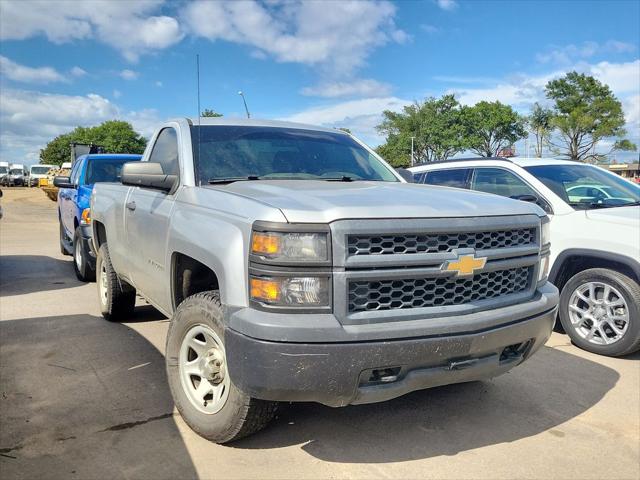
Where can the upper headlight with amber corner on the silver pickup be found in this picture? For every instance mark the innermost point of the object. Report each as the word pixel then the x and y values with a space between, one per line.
pixel 288 246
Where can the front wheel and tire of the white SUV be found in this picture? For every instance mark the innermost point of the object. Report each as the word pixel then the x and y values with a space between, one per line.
pixel 621 305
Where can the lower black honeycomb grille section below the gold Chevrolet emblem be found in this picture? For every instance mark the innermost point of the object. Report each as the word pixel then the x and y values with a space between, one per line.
pixel 379 295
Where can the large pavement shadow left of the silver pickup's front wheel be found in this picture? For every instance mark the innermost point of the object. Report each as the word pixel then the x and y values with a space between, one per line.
pixel 86 398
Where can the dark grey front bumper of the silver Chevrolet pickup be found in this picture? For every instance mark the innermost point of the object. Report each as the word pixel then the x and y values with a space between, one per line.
pixel 343 373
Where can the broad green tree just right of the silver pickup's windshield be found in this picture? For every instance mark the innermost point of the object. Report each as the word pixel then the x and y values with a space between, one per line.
pixel 435 125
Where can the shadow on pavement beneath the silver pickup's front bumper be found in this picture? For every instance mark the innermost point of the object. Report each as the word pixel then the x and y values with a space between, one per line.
pixel 539 396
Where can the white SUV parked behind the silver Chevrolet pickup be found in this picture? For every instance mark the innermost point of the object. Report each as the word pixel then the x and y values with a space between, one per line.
pixel 595 238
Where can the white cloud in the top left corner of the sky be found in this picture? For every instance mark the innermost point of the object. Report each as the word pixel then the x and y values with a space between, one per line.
pixel 129 27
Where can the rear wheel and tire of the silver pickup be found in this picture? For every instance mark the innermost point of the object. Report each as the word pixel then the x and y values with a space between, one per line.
pixel 117 298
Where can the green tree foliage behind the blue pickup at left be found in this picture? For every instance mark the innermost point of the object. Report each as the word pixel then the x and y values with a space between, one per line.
pixel 114 135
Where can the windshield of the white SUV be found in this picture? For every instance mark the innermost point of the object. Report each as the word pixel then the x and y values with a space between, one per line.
pixel 586 187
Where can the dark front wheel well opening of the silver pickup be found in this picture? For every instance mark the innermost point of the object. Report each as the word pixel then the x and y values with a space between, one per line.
pixel 190 277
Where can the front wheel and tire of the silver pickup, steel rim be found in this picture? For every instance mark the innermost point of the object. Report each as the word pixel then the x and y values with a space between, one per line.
pixel 235 414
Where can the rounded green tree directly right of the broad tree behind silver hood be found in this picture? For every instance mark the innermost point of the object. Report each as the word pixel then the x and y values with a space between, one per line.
pixel 491 127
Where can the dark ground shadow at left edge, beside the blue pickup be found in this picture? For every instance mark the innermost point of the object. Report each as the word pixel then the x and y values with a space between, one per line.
pixel 22 274
